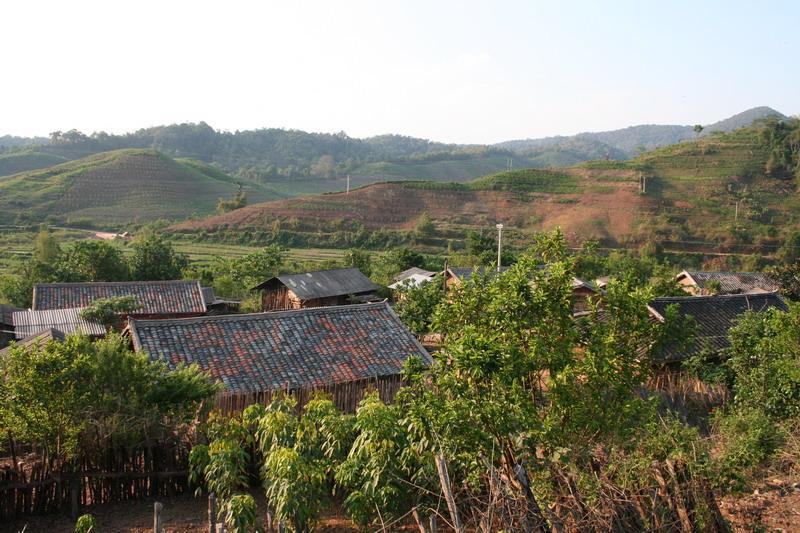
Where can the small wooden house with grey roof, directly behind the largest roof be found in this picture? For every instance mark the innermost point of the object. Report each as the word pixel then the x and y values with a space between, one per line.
pixel 322 288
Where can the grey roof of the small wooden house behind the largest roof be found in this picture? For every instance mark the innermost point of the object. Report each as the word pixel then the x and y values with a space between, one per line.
pixel 325 283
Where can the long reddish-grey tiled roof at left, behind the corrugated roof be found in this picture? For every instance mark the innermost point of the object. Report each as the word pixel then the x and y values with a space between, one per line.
pixel 156 297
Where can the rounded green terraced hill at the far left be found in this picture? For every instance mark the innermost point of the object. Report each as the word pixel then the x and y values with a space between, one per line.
pixel 119 187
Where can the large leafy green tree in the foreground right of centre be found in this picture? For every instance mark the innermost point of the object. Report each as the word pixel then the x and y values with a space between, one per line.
pixel 508 342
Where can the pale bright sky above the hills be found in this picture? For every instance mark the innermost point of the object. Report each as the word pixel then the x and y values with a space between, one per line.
pixel 451 71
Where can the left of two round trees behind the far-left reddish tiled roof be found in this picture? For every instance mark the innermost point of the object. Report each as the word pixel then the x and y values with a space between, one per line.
pixel 91 260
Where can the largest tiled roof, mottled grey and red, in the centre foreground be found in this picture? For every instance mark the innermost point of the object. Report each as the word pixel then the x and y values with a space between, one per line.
pixel 301 348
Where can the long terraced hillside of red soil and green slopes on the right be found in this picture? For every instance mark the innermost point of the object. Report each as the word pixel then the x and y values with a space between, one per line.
pixel 692 192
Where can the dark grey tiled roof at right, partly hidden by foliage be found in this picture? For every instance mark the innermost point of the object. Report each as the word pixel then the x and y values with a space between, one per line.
pixel 713 317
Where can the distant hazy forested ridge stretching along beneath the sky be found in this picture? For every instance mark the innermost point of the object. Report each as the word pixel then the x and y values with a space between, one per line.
pixel 268 155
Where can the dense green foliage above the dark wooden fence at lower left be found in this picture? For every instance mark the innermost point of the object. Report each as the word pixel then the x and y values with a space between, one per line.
pixel 74 396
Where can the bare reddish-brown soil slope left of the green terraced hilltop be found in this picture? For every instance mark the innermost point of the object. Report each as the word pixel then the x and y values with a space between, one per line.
pixel 590 203
